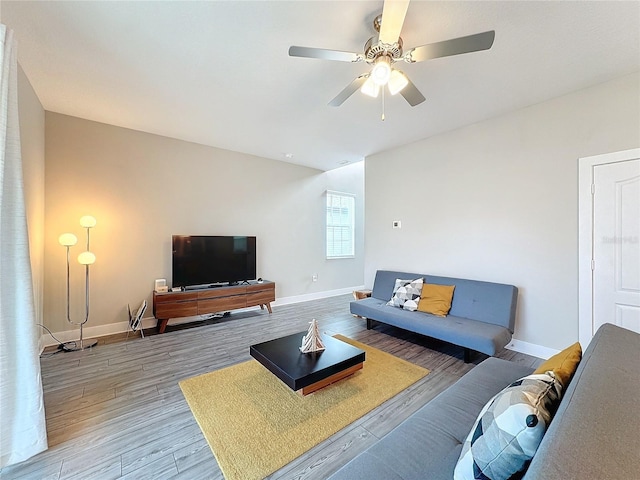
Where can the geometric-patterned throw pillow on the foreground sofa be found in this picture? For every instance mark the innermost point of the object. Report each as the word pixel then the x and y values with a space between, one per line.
pixel 509 429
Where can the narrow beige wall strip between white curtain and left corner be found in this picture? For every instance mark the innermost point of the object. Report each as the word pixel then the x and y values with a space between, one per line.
pixel 33 163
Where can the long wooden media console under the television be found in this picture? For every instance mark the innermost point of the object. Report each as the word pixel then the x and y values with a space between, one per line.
pixel 205 301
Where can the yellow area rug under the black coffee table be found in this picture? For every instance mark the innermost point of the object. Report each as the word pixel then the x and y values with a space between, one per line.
pixel 255 424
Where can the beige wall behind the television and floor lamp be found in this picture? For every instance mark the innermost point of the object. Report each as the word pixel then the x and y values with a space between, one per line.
pixel 143 188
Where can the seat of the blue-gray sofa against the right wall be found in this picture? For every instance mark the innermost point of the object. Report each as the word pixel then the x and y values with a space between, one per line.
pixel 479 336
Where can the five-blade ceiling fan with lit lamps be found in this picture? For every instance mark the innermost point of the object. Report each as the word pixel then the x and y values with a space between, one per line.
pixel 385 49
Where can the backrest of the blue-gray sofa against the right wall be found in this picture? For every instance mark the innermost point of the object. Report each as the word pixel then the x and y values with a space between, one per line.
pixel 493 303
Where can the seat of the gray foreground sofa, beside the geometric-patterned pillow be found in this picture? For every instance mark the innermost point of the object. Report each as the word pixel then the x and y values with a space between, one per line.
pixel 428 444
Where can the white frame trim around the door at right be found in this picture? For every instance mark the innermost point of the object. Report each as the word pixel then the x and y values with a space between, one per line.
pixel 586 167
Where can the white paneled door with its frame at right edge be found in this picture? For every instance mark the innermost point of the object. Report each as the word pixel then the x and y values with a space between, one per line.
pixel 614 244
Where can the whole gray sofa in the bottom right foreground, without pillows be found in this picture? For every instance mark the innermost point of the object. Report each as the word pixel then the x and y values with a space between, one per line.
pixel 594 433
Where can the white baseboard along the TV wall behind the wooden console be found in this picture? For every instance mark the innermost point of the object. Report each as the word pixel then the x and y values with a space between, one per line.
pixel 150 322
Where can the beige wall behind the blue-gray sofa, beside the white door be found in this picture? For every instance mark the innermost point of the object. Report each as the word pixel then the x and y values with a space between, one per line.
pixel 498 201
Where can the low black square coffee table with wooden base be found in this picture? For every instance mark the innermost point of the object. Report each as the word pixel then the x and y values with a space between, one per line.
pixel 308 372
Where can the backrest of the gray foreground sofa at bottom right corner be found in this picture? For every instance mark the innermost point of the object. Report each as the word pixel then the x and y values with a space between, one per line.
pixel 596 431
